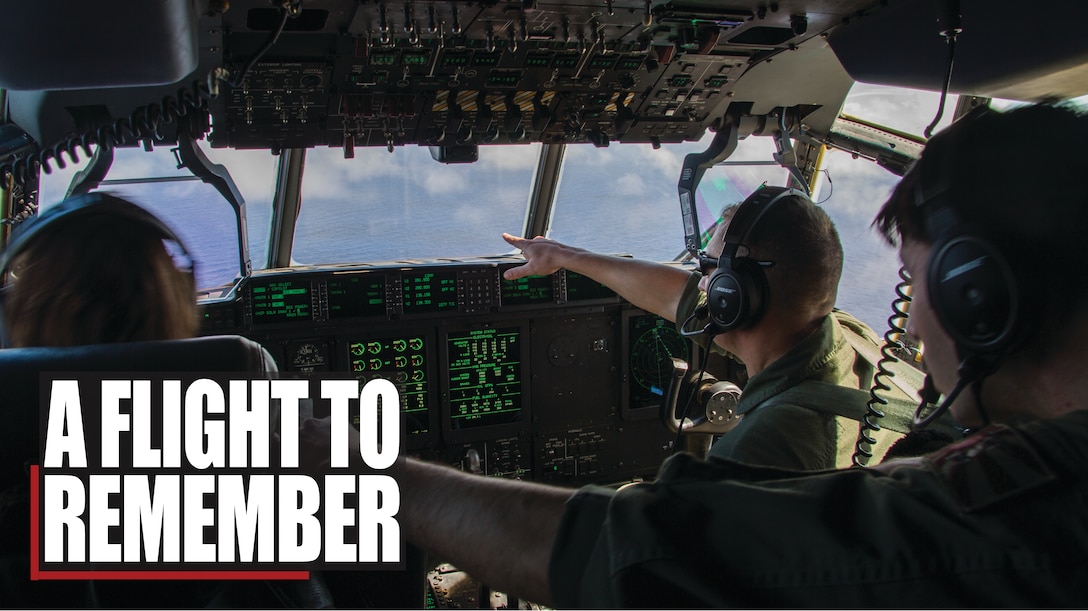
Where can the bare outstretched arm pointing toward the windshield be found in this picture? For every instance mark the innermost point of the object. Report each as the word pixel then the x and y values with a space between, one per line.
pixel 652 286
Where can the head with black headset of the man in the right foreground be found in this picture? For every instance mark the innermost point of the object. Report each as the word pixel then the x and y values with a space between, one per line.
pixel 992 226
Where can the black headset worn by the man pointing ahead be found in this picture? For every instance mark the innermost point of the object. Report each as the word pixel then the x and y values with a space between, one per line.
pixel 737 291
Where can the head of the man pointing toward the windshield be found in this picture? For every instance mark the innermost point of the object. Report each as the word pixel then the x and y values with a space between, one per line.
pixel 794 245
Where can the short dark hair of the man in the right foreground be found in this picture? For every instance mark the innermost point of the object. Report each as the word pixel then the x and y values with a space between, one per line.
pixel 1015 180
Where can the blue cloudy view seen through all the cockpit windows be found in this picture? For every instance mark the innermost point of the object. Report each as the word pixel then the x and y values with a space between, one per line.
pixel 381 207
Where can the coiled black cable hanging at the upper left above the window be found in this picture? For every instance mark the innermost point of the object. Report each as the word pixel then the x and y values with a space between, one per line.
pixel 145 123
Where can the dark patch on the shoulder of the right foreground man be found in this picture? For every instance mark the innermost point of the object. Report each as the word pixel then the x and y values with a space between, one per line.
pixel 990 468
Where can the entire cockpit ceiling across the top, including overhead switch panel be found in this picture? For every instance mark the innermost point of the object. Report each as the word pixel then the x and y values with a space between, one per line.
pixel 349 73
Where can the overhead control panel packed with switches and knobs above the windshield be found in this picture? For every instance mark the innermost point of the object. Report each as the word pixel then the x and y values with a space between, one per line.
pixel 456 73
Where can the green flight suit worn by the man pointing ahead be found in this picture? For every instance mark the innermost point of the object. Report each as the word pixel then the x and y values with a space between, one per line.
pixel 784 434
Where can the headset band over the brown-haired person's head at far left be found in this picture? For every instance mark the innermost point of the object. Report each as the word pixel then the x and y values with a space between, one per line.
pixel 75 209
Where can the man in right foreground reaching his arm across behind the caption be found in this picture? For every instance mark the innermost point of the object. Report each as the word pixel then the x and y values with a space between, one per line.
pixel 995 520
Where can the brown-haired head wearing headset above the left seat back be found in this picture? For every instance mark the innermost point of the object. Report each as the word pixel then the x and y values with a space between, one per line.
pixel 95 270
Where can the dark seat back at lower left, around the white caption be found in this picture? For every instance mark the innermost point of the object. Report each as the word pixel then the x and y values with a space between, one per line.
pixel 20 383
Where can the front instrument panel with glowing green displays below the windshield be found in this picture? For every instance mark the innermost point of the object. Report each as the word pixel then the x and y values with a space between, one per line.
pixel 552 379
